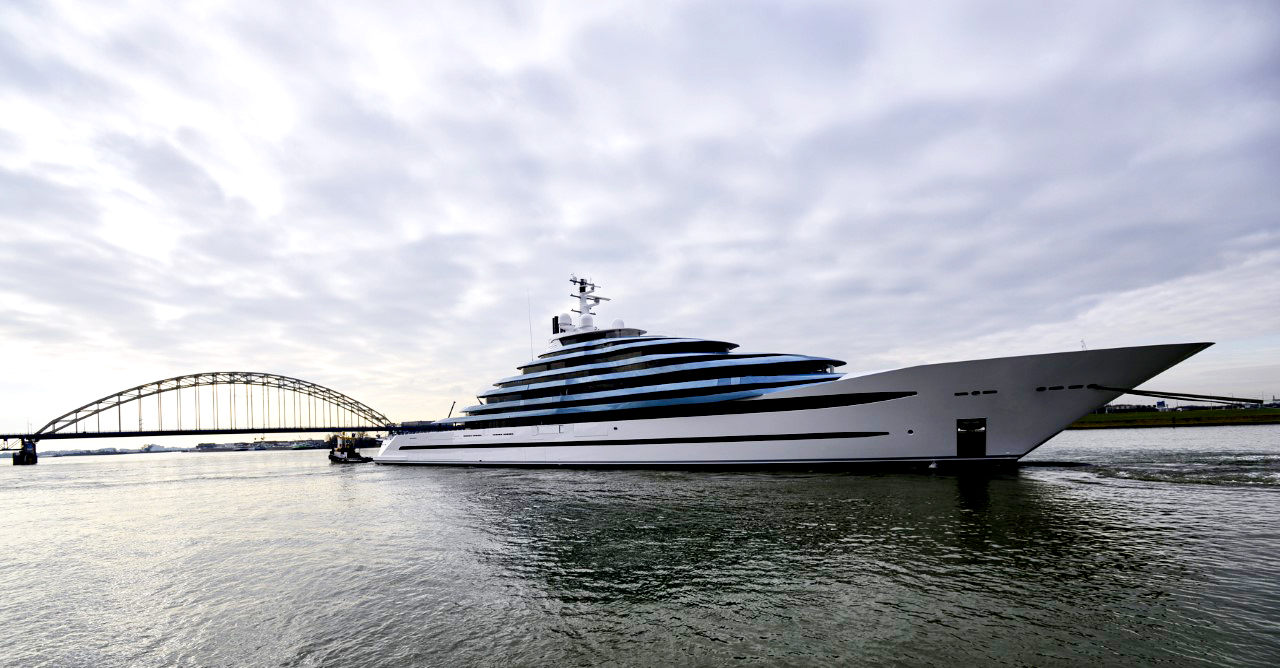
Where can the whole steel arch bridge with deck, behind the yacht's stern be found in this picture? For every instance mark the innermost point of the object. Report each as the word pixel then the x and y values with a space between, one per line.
pixel 216 402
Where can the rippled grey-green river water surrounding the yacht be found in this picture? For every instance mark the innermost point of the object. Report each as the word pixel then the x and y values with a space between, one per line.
pixel 1167 553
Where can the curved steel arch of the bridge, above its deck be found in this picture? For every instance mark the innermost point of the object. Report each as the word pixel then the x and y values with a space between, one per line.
pixel 213 379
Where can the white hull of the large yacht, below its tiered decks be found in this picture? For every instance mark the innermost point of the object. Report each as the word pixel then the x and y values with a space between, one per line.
pixel 921 427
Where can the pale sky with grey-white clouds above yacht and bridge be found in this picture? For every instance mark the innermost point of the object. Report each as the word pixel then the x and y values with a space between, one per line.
pixel 387 198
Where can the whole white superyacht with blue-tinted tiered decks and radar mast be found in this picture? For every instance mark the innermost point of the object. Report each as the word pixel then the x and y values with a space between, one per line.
pixel 618 397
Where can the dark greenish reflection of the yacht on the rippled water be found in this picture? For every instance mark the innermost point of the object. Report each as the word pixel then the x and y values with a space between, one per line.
pixel 884 568
